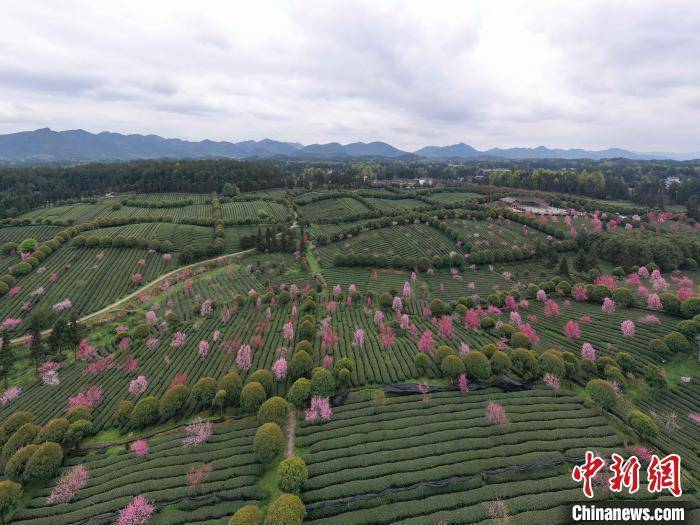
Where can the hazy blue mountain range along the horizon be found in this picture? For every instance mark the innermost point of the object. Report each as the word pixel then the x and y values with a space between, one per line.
pixel 46 145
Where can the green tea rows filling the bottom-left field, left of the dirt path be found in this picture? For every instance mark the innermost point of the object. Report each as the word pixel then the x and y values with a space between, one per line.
pixel 117 475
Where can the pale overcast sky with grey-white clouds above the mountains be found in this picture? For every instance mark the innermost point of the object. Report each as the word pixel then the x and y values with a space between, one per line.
pixel 568 73
